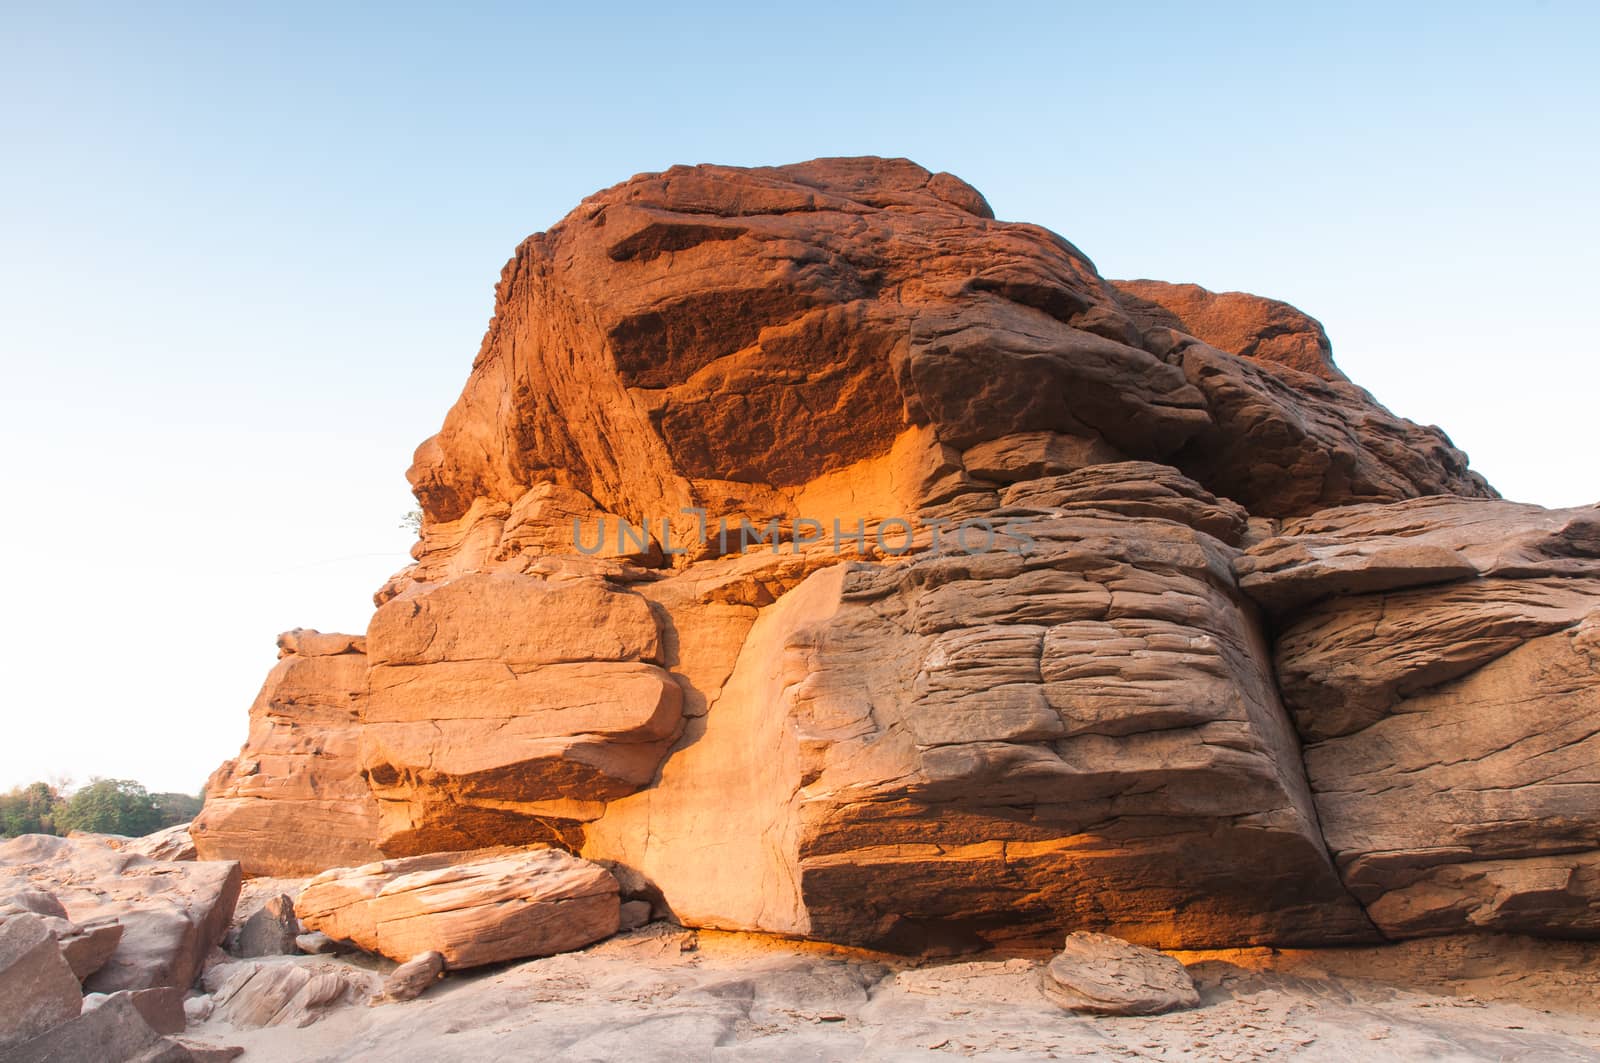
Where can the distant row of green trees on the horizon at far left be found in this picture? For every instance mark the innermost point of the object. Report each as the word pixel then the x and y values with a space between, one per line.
pixel 105 806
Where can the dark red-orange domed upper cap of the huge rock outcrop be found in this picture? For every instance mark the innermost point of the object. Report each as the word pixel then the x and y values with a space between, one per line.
pixel 727 339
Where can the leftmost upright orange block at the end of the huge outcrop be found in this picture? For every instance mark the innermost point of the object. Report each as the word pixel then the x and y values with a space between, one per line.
pixel 294 803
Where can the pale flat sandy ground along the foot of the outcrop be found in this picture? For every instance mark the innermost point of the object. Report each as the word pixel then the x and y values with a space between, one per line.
pixel 670 995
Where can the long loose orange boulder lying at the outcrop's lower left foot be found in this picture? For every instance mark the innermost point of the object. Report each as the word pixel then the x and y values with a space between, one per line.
pixel 474 909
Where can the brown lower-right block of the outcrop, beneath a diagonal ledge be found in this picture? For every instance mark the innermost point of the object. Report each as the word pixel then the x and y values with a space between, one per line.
pixel 1478 803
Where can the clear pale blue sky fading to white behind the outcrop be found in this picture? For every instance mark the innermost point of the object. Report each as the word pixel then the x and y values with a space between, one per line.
pixel 247 255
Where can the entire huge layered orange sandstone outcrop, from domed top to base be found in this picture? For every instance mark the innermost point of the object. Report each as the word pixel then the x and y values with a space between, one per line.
pixel 1081 606
